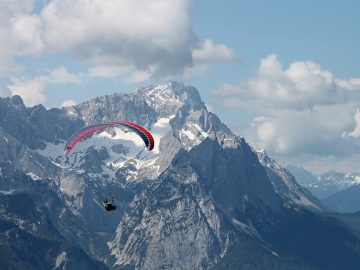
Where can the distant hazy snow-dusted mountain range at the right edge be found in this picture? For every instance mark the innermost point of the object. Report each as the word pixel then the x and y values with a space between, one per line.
pixel 326 184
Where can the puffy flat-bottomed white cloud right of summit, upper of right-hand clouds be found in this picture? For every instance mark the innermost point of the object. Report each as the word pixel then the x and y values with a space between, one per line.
pixel 303 85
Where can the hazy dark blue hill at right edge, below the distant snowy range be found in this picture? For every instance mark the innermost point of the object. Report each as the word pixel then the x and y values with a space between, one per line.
pixel 345 201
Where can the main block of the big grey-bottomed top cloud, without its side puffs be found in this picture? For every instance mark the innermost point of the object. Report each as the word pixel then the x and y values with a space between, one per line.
pixel 141 34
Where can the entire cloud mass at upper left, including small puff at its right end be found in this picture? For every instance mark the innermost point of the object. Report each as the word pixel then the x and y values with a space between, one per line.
pixel 148 38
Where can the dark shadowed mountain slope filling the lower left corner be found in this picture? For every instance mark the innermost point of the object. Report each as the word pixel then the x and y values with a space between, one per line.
pixel 28 238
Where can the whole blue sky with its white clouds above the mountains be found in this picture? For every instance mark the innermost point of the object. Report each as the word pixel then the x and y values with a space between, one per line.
pixel 283 74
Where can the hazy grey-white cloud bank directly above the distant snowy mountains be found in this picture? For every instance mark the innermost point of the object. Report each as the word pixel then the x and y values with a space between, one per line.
pixel 312 139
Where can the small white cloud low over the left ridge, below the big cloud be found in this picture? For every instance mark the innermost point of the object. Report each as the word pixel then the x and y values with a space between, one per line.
pixel 32 90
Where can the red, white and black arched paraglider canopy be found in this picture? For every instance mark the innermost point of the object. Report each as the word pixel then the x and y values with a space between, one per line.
pixel 89 130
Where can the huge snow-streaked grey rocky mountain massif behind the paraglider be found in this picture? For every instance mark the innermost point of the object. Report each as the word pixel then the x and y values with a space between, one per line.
pixel 200 195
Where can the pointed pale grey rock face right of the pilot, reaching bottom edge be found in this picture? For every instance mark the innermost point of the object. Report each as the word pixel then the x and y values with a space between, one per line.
pixel 174 209
